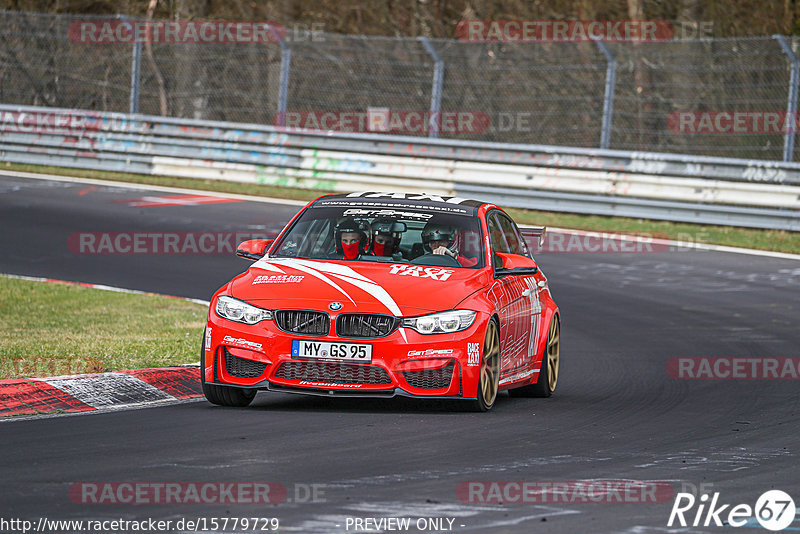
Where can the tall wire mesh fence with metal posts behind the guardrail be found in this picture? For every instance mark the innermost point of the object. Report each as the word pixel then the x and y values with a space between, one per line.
pixel 580 94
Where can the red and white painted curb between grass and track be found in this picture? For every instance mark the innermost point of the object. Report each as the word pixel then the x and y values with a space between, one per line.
pixel 101 391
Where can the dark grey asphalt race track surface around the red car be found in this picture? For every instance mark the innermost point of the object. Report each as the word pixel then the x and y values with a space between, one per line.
pixel 616 415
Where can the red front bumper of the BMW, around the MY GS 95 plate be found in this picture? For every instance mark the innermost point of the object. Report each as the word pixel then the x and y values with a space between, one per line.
pixel 404 363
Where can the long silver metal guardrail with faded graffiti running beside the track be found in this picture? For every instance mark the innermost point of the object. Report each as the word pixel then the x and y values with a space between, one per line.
pixel 704 190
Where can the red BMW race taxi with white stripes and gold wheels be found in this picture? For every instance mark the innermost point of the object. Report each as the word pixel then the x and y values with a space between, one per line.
pixel 383 294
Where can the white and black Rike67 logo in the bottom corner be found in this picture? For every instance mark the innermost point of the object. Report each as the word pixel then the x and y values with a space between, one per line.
pixel 774 510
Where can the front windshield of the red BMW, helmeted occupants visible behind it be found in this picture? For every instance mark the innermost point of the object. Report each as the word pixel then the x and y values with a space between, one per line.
pixel 406 235
